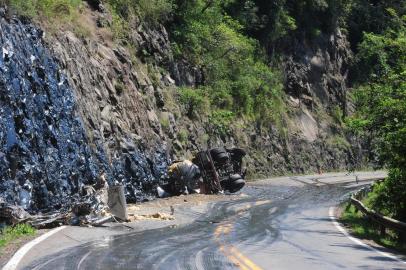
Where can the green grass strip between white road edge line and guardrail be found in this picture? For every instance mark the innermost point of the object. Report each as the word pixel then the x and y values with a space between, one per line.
pixel 362 228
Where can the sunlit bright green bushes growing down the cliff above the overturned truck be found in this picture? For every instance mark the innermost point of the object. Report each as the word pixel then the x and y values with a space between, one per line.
pixel 237 79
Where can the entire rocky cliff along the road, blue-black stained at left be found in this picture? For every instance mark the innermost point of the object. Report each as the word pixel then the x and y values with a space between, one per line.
pixel 77 109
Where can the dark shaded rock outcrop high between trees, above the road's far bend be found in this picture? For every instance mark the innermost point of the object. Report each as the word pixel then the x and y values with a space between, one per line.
pixel 316 73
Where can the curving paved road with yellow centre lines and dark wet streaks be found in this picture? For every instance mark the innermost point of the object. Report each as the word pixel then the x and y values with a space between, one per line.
pixel 281 223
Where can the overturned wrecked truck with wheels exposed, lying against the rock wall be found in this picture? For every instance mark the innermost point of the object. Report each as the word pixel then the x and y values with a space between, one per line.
pixel 209 172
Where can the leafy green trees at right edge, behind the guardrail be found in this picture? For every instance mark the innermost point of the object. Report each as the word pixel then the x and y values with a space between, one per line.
pixel 381 103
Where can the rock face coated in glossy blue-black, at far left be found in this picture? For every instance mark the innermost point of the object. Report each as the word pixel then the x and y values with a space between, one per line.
pixel 44 154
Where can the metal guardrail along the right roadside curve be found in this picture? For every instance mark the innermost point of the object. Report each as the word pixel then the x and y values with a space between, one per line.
pixel 383 221
